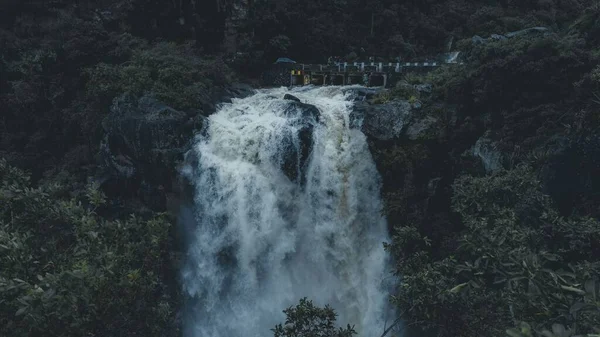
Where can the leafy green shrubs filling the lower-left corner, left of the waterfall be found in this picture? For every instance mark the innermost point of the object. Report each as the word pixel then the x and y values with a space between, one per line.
pixel 68 271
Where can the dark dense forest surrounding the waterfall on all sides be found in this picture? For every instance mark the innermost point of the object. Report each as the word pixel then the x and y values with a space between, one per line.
pixel 493 209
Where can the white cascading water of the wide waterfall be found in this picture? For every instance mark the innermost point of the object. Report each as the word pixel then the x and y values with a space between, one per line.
pixel 276 222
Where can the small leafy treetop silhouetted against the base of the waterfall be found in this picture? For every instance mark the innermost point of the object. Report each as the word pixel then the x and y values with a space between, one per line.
pixel 305 319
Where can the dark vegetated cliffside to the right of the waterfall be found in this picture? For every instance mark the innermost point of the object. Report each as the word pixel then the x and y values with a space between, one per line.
pixel 483 248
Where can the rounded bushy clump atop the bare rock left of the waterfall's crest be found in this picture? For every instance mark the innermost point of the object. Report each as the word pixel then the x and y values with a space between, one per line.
pixel 173 73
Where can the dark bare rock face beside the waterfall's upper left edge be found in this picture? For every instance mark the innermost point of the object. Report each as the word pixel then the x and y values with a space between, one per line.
pixel 144 142
